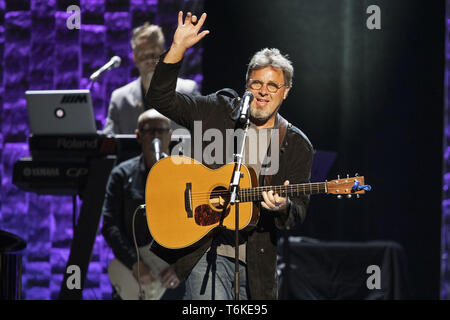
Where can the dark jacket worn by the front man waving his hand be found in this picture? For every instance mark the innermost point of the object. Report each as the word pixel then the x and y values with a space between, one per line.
pixel 295 160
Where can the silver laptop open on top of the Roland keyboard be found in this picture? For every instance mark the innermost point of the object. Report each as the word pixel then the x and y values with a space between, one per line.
pixel 60 112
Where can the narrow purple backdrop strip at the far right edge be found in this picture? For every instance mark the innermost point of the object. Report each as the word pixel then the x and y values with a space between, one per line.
pixel 445 242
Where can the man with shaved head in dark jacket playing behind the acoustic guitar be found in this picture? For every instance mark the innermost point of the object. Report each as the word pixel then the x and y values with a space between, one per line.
pixel 125 191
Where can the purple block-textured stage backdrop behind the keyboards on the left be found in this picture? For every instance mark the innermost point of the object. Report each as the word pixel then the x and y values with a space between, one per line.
pixel 38 51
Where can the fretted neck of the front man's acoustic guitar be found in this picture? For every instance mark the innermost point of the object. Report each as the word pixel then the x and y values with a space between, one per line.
pixel 292 190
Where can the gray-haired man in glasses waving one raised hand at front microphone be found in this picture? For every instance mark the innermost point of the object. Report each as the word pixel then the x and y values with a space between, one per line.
pixel 209 268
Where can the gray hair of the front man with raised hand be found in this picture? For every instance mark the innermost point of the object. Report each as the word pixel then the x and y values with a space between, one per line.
pixel 272 58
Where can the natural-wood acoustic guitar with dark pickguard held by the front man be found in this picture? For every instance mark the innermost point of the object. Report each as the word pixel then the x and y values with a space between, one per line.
pixel 185 200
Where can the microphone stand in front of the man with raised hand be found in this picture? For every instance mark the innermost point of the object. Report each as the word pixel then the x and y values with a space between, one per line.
pixel 234 189
